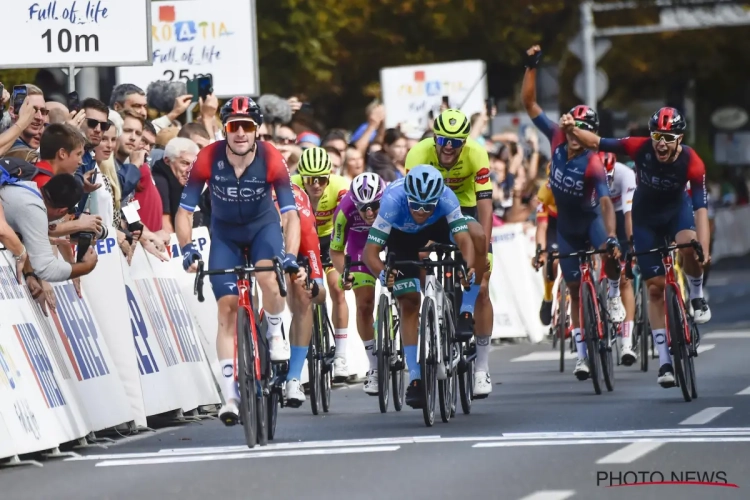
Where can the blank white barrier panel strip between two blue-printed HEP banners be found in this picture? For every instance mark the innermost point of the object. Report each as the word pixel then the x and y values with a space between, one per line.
pixel 104 289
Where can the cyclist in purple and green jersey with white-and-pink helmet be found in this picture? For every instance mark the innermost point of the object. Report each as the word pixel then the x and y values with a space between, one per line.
pixel 352 220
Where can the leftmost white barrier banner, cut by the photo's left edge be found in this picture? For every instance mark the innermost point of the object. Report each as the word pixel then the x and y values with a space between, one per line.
pixel 29 390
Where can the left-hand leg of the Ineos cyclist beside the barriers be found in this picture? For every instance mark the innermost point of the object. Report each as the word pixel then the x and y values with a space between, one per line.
pixel 224 255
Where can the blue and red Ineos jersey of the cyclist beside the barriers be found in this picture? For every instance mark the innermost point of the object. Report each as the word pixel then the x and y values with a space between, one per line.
pixel 245 199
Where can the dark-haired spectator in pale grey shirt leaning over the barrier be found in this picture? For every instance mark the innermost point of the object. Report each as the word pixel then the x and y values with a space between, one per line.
pixel 29 211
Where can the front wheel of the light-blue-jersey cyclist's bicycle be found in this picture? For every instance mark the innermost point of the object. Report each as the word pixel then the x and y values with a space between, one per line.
pixel 428 360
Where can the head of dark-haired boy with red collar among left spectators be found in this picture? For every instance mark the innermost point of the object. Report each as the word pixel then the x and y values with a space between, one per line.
pixel 60 152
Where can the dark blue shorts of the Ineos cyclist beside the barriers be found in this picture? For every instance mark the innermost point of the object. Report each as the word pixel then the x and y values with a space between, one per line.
pixel 263 238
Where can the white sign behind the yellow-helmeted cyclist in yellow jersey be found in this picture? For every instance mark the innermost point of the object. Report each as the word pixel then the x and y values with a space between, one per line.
pixel 411 92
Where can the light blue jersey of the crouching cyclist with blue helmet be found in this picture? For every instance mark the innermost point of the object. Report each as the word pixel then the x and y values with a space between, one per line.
pixel 395 214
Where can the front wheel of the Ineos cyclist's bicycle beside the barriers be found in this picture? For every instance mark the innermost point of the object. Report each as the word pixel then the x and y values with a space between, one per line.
pixel 247 378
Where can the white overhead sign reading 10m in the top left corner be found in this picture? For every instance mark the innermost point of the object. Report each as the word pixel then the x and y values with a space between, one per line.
pixel 63 33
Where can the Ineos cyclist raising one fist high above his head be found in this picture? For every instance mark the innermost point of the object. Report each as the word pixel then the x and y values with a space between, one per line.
pixel 585 213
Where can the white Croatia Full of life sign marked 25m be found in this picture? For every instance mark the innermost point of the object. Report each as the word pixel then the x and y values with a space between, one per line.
pixel 191 38
